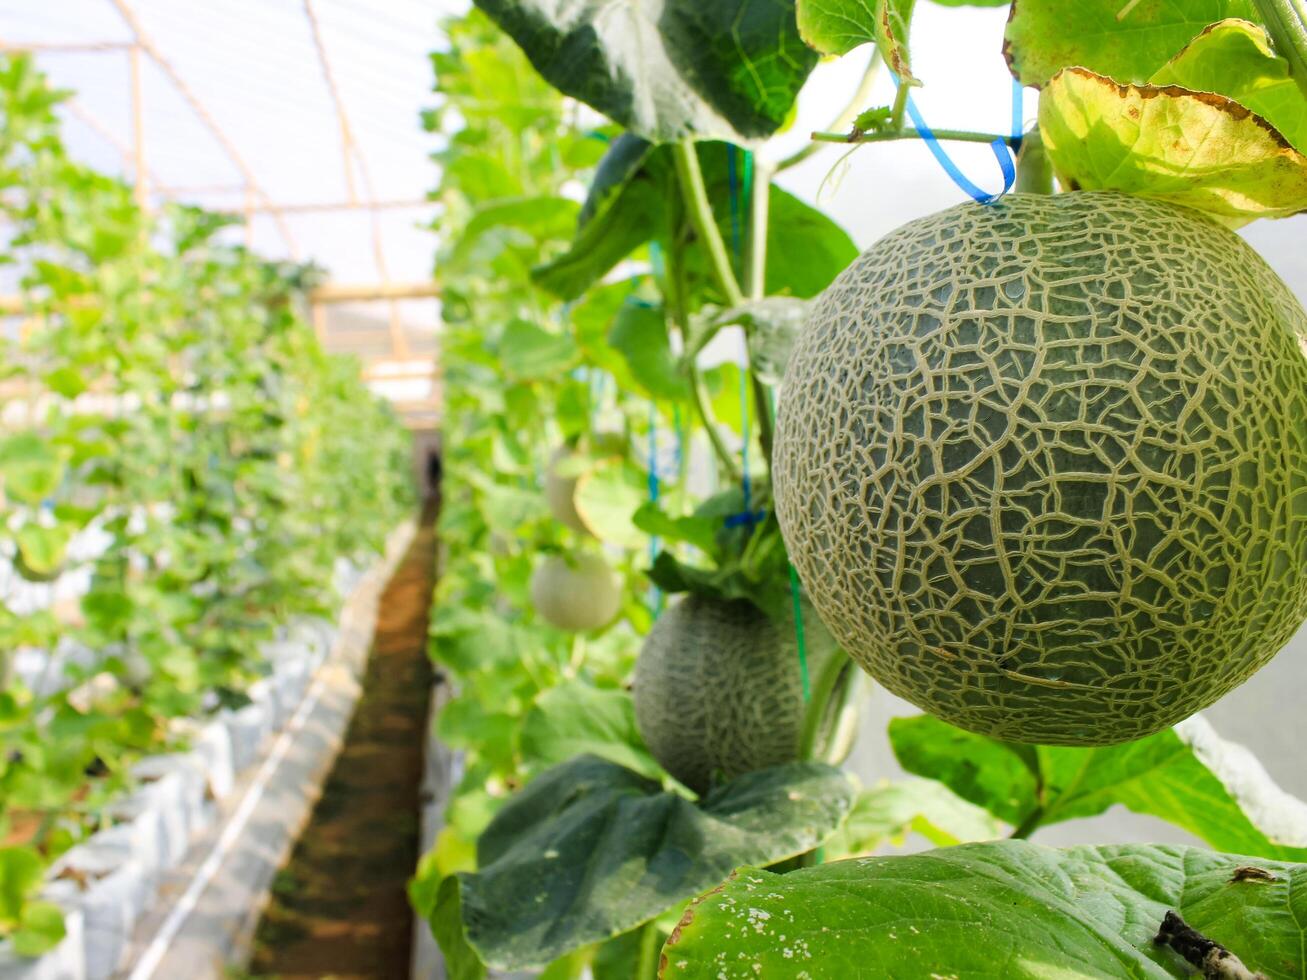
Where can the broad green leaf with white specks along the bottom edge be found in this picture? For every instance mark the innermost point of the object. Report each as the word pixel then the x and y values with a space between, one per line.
pixel 1008 909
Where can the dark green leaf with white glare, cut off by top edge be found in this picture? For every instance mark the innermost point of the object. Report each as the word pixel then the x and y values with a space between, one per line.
pixel 669 70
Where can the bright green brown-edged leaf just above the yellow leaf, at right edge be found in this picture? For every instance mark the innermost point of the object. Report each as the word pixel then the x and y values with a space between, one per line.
pixel 1234 58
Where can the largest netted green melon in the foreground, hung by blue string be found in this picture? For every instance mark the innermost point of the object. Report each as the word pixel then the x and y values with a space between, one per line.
pixel 1042 466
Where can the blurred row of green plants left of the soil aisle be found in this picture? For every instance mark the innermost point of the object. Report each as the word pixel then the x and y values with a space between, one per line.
pixel 163 393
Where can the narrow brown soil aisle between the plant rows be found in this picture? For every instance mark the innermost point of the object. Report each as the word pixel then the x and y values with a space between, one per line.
pixel 339 909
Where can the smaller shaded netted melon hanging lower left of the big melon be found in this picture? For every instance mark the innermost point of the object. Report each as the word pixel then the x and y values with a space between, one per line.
pixel 720 691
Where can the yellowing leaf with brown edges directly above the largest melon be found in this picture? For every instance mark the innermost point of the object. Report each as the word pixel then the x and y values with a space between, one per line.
pixel 1191 148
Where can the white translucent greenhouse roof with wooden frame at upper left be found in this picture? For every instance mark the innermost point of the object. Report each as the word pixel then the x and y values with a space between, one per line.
pixel 300 117
